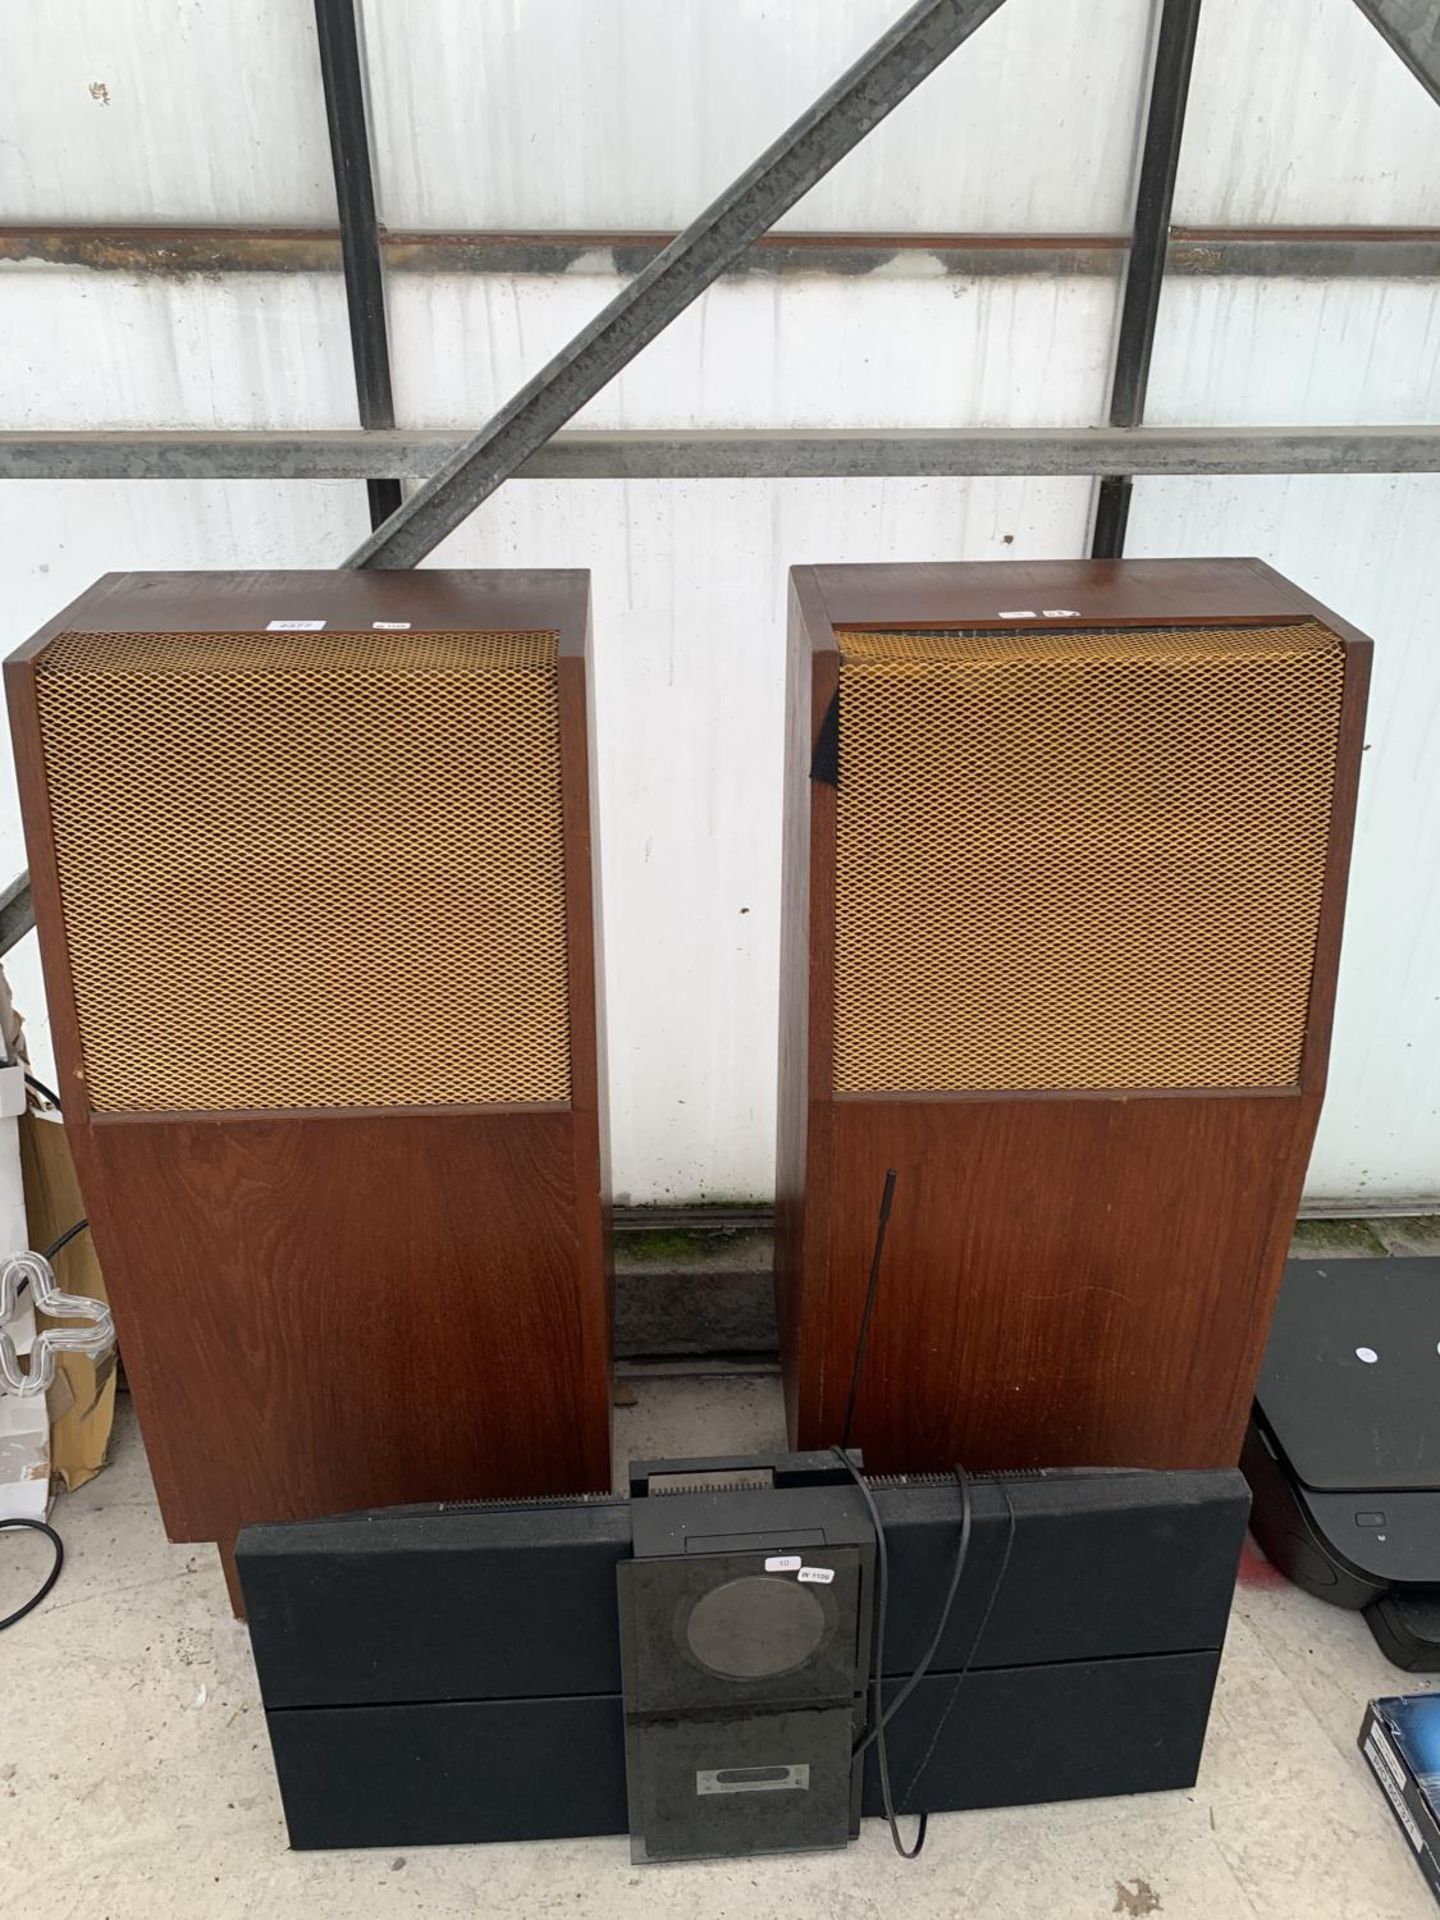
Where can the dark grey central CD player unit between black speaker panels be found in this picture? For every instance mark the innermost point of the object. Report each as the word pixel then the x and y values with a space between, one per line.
pixel 746 1631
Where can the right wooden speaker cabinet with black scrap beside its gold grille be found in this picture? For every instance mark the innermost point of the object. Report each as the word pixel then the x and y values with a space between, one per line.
pixel 1065 875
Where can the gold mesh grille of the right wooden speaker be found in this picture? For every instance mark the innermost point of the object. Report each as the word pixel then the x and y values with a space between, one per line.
pixel 1084 861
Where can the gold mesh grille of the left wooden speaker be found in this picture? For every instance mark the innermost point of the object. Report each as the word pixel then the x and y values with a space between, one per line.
pixel 310 869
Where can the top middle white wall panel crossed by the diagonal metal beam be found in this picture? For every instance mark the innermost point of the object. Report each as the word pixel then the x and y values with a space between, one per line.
pixel 635 114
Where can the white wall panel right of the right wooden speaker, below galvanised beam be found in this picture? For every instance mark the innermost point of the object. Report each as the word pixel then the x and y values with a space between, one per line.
pixel 1364 546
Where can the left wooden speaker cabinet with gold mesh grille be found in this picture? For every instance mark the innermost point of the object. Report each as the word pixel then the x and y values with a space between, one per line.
pixel 314 878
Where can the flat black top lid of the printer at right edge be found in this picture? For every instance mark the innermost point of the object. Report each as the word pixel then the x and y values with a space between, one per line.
pixel 1353 1374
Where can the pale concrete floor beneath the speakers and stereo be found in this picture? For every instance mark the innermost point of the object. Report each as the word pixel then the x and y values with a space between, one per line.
pixel 135 1775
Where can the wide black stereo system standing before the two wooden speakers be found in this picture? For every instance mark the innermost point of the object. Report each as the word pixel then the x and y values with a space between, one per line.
pixel 441 1675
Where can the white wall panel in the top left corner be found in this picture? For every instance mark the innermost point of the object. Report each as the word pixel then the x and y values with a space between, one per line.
pixel 164 112
